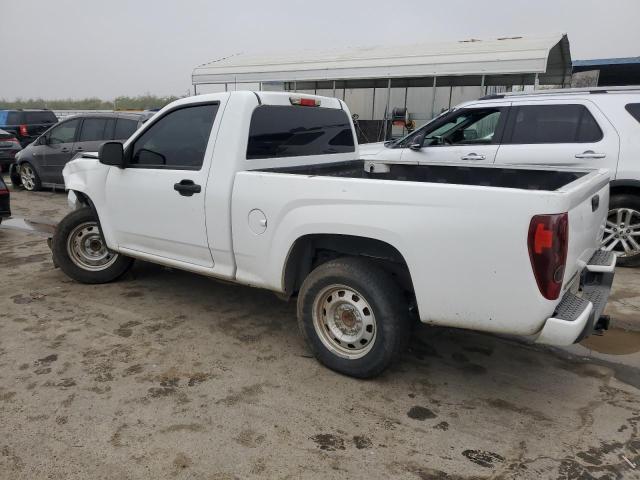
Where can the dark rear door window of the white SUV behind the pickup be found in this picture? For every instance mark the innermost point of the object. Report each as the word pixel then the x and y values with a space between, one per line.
pixel 565 123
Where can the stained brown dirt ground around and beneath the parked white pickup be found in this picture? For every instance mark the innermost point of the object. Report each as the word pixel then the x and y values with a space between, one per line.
pixel 166 374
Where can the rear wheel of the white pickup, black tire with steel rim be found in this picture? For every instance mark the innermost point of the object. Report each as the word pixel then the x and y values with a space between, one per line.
pixel 353 316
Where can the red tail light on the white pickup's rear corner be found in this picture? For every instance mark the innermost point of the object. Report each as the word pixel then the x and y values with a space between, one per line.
pixel 548 241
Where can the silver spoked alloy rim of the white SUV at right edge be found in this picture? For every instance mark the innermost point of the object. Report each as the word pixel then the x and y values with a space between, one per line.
pixel 622 232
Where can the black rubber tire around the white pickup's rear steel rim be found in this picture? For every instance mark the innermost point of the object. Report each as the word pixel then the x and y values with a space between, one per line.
pixel 380 291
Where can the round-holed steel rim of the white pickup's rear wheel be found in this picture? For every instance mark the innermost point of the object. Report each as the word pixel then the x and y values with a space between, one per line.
pixel 344 321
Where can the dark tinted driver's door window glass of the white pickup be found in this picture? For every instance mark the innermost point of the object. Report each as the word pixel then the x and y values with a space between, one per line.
pixel 176 141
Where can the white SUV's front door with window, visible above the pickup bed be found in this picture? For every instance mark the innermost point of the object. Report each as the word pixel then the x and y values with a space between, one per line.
pixel 470 135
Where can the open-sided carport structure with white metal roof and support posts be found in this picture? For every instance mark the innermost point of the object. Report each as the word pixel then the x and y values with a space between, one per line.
pixel 422 78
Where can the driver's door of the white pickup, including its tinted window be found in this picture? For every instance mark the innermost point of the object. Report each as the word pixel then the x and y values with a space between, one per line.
pixel 156 204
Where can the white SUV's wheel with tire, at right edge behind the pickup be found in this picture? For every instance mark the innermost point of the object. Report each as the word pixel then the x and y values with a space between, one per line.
pixel 622 232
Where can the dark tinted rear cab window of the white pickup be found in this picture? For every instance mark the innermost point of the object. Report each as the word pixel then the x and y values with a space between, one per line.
pixel 292 131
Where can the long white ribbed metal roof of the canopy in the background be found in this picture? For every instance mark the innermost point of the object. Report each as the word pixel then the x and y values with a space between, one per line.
pixel 546 55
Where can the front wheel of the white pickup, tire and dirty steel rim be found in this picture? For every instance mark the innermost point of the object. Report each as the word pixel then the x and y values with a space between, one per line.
pixel 83 222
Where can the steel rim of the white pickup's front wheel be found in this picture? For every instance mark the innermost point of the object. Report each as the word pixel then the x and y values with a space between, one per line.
pixel 87 250
